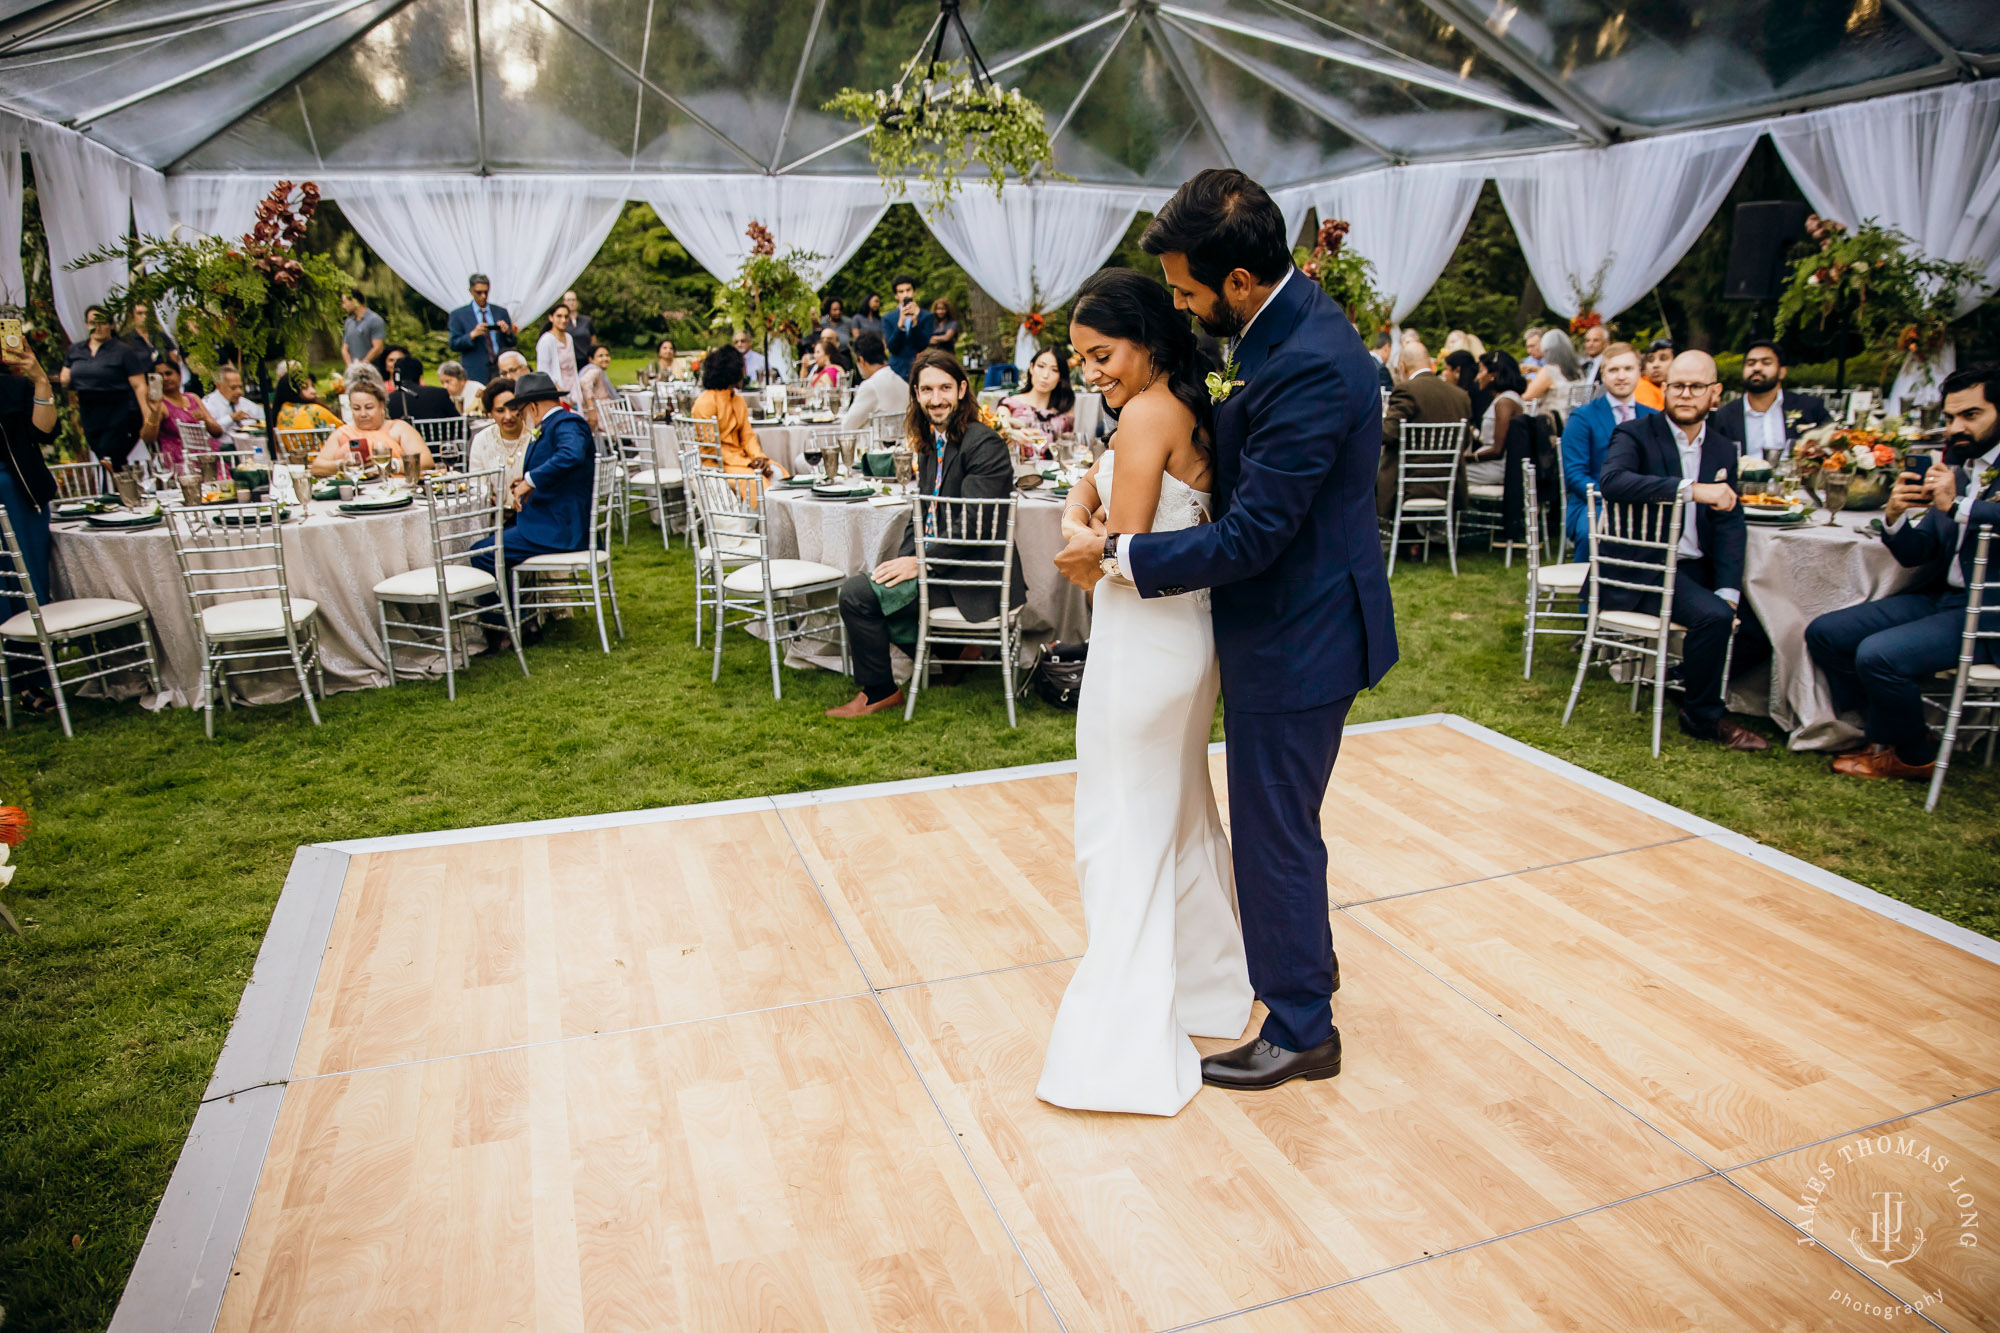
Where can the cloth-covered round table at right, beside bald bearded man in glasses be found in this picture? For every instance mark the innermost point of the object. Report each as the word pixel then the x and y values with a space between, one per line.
pixel 1793 575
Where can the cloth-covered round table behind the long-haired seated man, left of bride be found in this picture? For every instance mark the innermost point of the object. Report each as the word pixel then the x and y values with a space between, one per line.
pixel 849 537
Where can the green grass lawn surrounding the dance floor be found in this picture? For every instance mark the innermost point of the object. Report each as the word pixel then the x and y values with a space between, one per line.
pixel 157 856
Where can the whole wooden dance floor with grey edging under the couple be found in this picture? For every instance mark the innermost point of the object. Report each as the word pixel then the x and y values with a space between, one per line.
pixel 771 1066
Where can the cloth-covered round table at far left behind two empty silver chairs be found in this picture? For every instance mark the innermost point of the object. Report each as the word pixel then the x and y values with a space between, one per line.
pixel 329 557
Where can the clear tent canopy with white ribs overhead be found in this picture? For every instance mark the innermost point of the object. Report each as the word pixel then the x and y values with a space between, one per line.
pixel 1139 93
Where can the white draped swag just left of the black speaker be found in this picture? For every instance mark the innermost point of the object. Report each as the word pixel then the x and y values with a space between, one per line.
pixel 1619 219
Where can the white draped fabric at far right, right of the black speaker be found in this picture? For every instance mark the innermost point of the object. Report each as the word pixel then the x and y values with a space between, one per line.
pixel 1925 163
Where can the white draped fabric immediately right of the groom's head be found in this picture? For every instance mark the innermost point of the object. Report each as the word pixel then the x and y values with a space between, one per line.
pixel 1405 221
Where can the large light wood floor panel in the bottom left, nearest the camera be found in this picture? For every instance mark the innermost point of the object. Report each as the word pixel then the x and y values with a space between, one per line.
pixel 755 1174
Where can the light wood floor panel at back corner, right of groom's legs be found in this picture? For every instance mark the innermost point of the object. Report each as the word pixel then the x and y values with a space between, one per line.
pixel 1423 808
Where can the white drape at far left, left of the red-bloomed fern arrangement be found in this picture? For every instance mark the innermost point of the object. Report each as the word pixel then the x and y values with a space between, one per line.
pixel 87 197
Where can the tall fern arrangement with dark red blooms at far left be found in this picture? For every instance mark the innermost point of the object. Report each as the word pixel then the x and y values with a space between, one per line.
pixel 247 301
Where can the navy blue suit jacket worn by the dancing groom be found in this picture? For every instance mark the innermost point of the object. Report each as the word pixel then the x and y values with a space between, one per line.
pixel 1301 597
